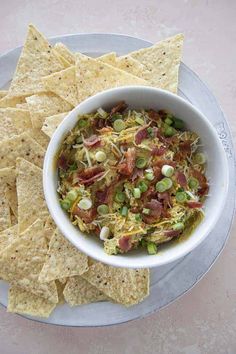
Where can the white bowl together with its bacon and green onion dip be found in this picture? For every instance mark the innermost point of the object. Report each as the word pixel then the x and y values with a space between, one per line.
pixel 128 171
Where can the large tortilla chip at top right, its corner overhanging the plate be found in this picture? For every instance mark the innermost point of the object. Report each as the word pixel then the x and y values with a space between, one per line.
pixel 161 62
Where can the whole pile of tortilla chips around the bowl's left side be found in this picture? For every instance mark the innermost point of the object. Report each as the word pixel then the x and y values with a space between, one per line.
pixel 41 266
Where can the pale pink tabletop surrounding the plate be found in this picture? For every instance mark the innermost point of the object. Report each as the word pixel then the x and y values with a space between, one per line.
pixel 204 320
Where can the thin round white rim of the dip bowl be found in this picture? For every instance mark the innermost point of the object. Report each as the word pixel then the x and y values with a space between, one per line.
pixel 52 149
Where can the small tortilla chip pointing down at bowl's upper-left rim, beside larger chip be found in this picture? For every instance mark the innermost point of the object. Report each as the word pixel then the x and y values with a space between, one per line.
pixel 63 84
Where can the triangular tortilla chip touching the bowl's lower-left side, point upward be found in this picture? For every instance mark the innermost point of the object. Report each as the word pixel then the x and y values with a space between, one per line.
pixel 63 260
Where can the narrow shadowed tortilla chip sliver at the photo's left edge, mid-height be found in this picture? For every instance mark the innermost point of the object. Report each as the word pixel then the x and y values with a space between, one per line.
pixel 8 180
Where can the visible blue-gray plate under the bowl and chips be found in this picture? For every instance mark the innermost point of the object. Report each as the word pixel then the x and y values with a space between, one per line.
pixel 167 282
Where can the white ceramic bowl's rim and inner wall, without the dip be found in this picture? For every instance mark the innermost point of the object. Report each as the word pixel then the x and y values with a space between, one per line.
pixel 217 171
